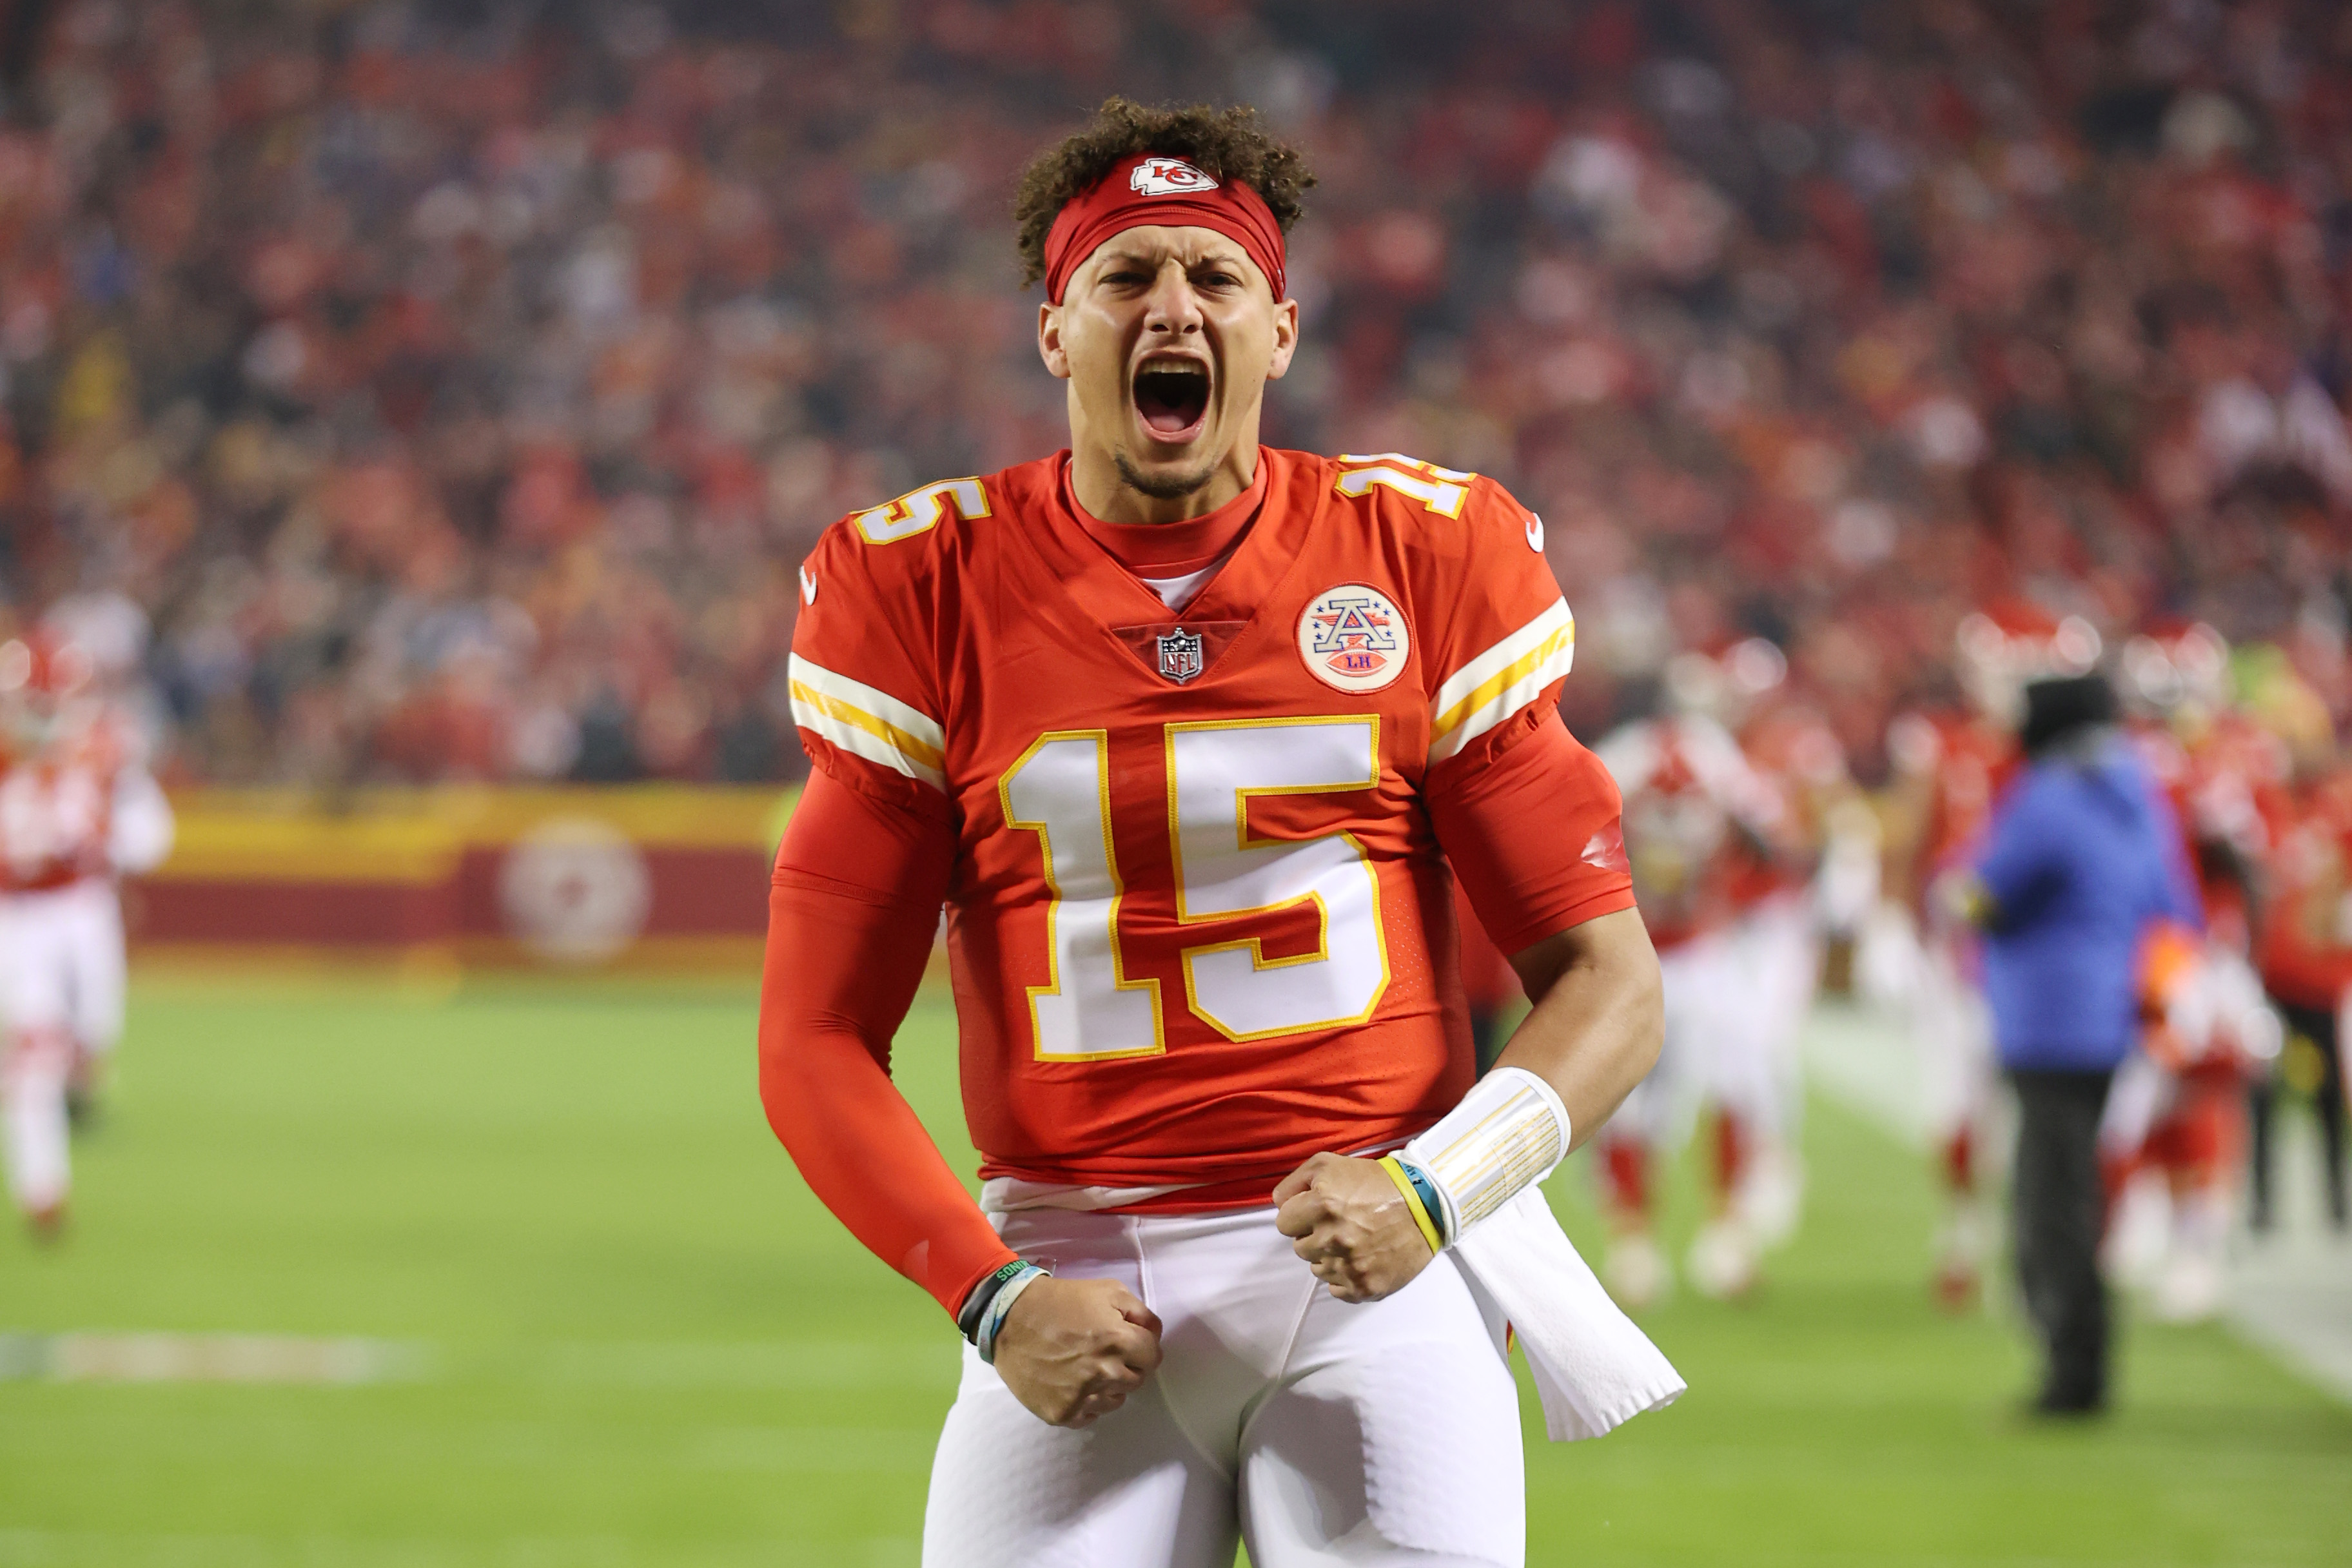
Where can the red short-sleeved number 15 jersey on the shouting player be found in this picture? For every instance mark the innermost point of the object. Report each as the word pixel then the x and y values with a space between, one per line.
pixel 1201 925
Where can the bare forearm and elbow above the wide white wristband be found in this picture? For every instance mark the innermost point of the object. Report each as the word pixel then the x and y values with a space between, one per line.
pixel 1598 1017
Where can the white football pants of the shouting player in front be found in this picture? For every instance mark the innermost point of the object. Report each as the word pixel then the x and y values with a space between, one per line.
pixel 1314 1430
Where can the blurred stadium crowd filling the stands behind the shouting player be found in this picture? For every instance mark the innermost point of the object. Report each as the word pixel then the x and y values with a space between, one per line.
pixel 448 391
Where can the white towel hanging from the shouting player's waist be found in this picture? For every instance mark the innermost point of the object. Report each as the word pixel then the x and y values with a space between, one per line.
pixel 1591 1365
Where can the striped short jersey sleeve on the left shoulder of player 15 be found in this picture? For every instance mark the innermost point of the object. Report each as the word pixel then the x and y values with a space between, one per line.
pixel 864 697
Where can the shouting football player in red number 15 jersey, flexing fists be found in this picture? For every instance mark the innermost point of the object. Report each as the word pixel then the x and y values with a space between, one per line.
pixel 1187 732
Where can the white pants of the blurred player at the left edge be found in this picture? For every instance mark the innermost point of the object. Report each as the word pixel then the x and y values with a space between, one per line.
pixel 60 991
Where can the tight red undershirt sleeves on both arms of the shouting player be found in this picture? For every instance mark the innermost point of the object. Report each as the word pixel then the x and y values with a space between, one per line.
pixel 855 904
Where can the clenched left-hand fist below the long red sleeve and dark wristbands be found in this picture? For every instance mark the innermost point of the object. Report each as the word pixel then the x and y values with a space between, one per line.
pixel 1074 1351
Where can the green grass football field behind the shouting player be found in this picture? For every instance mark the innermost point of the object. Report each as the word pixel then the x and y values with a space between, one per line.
pixel 603 1325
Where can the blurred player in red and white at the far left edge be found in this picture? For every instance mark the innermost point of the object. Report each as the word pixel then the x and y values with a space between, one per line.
pixel 76 810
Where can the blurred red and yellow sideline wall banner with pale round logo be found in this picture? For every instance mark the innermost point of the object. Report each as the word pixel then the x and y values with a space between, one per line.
pixel 486 876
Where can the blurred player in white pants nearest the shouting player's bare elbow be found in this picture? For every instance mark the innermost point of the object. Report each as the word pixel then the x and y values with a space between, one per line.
pixel 1704 836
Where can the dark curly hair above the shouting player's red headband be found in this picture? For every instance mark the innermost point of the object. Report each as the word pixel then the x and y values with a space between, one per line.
pixel 1224 142
